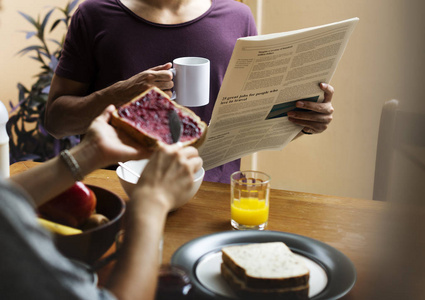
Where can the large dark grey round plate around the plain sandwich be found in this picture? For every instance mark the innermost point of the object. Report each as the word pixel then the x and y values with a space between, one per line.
pixel 340 271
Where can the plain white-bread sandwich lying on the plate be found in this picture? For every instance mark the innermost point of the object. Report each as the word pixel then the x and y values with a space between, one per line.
pixel 269 270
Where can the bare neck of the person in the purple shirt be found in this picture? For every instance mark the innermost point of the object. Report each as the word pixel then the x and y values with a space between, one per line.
pixel 168 11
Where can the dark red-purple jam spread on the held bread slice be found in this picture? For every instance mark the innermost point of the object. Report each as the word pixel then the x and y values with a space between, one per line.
pixel 150 115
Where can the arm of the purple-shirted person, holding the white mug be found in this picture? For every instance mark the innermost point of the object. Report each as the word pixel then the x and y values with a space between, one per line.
pixel 70 110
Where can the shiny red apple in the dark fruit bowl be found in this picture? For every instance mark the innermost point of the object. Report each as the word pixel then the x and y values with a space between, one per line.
pixel 72 207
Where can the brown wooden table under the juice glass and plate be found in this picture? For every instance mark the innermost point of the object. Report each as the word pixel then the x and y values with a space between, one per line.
pixel 346 224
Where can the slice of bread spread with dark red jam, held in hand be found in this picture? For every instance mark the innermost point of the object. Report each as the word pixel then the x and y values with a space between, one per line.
pixel 145 118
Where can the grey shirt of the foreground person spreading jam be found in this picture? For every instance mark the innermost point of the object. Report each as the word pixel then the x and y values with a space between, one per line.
pixel 30 265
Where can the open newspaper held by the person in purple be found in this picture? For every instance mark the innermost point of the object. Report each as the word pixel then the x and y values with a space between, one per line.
pixel 266 75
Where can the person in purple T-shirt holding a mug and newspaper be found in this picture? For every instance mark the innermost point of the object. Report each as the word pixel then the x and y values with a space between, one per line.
pixel 116 49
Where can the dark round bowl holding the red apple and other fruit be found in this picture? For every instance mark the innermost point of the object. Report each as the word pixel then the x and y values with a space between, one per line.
pixel 90 245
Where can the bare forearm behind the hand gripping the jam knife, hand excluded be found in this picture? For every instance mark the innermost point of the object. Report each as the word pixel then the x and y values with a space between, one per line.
pixel 136 272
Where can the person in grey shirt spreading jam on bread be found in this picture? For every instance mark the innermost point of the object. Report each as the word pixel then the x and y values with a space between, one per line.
pixel 30 265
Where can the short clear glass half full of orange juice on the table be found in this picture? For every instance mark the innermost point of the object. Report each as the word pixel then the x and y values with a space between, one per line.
pixel 249 200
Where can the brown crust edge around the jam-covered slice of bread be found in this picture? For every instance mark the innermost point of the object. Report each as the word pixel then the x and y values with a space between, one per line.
pixel 149 141
